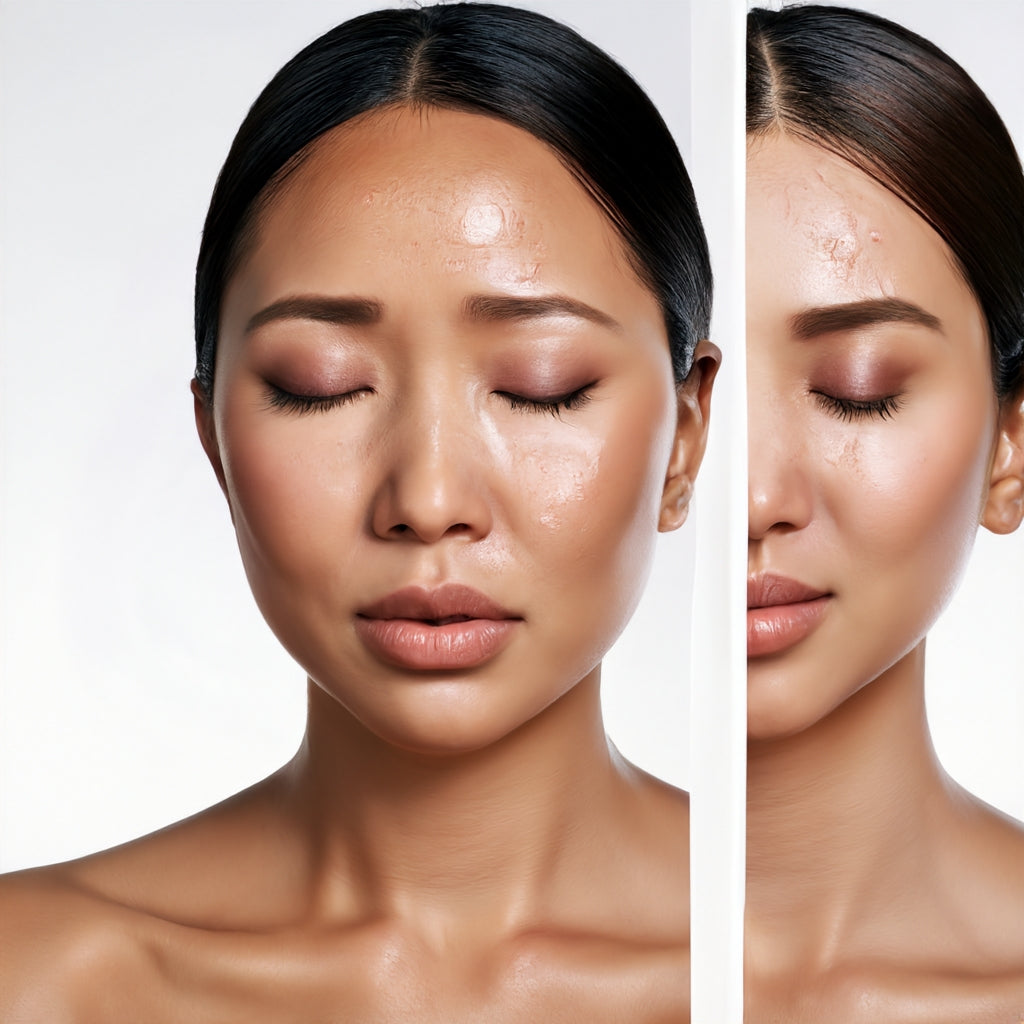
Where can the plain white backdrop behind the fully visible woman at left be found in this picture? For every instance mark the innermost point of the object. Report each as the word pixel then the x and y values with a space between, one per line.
pixel 139 681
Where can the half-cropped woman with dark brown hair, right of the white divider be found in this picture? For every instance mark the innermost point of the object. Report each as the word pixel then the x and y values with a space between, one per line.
pixel 886 325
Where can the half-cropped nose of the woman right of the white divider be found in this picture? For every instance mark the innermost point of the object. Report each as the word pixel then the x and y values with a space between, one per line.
pixel 779 495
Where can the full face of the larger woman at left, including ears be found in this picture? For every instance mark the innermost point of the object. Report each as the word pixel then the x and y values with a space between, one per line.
pixel 446 423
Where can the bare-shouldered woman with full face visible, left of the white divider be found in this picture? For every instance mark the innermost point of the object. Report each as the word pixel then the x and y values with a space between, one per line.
pixel 452 380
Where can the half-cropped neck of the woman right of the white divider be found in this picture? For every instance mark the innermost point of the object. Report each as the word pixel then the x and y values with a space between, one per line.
pixel 841 817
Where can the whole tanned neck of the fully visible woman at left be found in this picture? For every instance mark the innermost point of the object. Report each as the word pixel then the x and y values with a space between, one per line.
pixel 481 836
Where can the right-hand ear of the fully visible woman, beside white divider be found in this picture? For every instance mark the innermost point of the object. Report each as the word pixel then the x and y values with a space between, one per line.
pixel 692 437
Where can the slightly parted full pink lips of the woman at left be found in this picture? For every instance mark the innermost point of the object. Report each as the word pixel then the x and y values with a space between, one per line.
pixel 450 628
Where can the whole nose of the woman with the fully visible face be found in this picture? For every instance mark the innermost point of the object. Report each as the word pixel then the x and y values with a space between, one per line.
pixel 435 484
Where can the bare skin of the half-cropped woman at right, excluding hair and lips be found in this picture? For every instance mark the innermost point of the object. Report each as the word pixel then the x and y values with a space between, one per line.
pixel 877 888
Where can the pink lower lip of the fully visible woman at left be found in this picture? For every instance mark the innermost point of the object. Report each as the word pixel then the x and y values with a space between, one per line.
pixel 410 644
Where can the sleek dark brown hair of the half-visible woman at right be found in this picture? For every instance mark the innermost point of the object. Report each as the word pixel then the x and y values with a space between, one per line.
pixel 908 115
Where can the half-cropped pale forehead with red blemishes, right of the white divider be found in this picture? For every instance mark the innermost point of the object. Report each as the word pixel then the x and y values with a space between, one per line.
pixel 832 234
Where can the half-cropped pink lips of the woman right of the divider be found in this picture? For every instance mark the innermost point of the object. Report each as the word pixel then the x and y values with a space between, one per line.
pixel 781 613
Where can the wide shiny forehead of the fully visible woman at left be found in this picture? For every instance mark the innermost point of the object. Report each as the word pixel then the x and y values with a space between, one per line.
pixel 416 185
